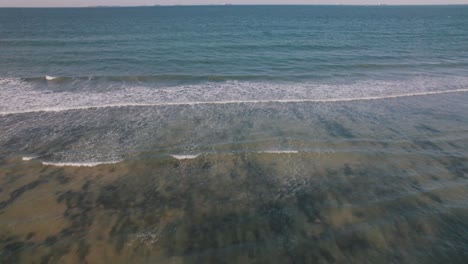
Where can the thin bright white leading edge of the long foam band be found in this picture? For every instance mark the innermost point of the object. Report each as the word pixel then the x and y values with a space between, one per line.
pixel 227 102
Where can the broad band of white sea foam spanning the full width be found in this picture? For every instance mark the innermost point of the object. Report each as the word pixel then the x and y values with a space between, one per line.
pixel 18 96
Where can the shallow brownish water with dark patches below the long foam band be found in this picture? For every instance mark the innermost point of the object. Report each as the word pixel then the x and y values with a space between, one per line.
pixel 353 182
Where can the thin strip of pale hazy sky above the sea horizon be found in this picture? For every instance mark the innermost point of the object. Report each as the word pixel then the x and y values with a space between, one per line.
pixel 61 3
